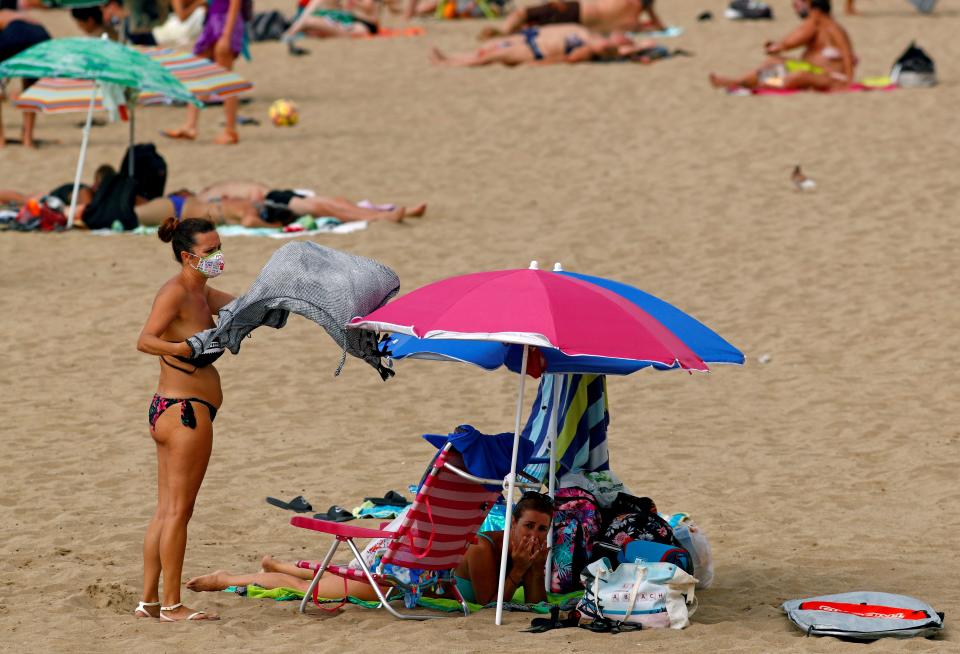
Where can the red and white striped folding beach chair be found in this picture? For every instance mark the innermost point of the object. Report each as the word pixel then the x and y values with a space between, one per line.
pixel 427 546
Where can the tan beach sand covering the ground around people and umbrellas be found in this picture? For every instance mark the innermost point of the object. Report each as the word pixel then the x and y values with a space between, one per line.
pixel 831 467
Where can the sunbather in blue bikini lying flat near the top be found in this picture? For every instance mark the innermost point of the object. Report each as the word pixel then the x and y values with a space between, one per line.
pixel 551 44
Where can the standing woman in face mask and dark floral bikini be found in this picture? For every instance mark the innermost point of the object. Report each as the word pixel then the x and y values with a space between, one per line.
pixel 182 412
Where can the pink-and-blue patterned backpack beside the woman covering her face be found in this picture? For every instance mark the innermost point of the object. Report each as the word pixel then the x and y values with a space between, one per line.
pixel 576 525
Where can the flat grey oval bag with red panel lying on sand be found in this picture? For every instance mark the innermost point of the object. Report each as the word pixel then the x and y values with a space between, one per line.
pixel 864 616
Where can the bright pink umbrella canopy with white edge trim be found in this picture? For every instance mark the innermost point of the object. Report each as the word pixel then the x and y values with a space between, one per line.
pixel 537 308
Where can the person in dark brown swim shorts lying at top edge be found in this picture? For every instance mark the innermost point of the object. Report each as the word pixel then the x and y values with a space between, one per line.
pixel 601 16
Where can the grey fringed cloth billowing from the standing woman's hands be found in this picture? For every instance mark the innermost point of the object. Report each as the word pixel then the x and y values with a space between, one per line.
pixel 325 285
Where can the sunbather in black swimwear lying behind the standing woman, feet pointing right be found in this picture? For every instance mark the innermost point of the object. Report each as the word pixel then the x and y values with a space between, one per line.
pixel 303 202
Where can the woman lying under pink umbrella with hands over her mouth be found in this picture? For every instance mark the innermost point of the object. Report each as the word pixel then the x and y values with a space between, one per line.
pixel 477 575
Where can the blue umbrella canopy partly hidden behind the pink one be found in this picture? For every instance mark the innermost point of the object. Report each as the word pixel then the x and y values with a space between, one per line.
pixel 703 341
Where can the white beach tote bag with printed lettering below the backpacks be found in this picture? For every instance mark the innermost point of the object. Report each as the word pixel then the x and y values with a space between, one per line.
pixel 651 595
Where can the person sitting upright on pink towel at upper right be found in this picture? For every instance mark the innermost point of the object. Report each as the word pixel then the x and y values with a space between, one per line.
pixel 827 62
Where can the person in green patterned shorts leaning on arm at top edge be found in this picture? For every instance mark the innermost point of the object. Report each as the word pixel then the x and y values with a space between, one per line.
pixel 332 18
